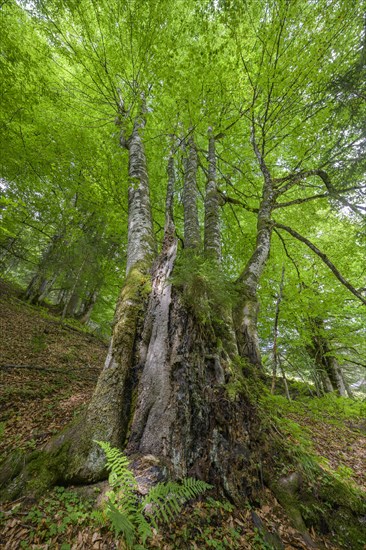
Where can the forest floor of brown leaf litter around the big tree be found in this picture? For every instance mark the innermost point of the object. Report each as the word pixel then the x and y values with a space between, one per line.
pixel 48 370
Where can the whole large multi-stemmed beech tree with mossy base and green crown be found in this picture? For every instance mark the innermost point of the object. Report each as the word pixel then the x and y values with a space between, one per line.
pixel 226 124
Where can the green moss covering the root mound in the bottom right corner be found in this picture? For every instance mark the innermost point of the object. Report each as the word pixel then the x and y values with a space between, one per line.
pixel 326 500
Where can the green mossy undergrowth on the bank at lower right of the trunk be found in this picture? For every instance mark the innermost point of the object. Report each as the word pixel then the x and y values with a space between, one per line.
pixel 326 495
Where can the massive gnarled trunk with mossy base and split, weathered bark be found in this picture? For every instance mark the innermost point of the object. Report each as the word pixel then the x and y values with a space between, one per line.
pixel 163 389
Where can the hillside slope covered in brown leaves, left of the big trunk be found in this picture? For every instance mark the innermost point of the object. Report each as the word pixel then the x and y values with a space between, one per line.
pixel 48 370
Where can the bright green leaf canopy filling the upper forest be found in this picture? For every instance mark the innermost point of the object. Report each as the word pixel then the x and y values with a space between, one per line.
pixel 292 73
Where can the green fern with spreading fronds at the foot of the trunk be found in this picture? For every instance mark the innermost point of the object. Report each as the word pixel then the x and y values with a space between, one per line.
pixel 126 512
